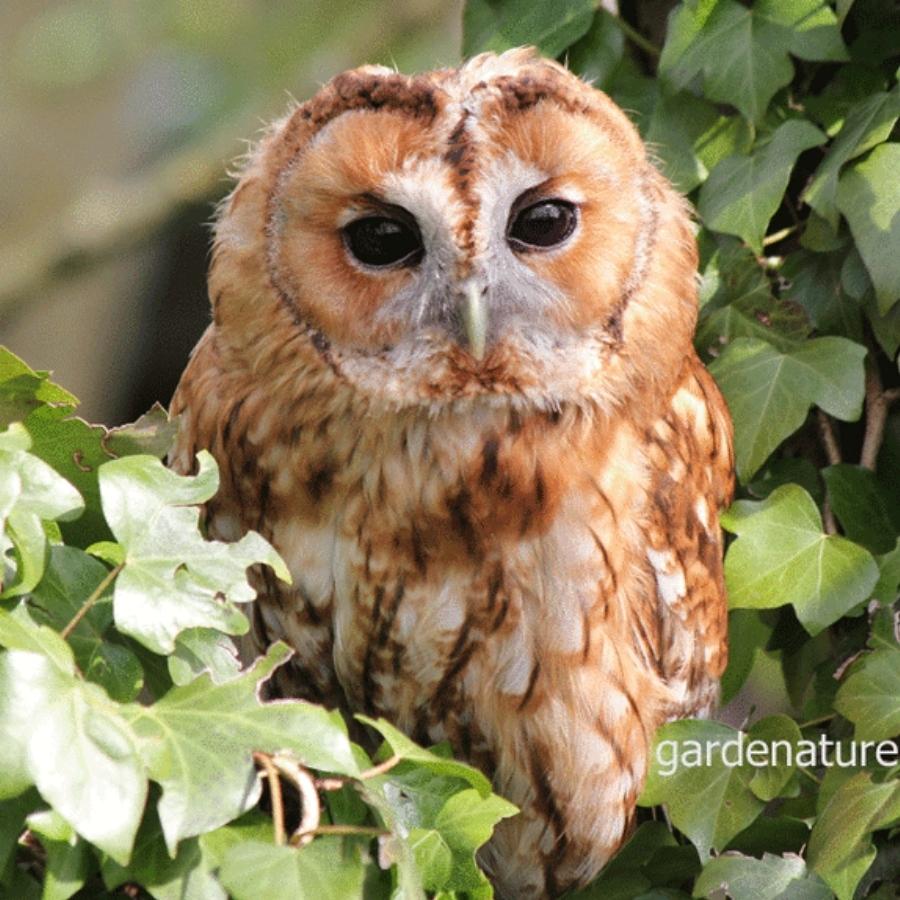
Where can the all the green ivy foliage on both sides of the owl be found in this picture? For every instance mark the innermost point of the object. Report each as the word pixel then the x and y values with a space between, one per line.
pixel 133 748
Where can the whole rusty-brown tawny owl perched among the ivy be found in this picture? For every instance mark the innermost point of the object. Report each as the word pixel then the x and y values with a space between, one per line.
pixel 450 376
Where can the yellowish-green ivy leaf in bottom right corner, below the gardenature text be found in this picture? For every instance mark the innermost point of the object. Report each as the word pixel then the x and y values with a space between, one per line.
pixel 840 849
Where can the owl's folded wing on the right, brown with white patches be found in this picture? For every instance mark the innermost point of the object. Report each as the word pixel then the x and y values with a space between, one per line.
pixel 691 460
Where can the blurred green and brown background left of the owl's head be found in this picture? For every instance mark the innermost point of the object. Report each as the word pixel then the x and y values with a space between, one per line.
pixel 118 122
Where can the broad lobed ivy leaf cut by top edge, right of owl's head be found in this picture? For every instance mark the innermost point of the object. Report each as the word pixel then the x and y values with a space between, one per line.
pixel 742 52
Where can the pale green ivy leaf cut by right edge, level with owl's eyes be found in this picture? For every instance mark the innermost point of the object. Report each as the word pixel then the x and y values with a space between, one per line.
pixel 869 197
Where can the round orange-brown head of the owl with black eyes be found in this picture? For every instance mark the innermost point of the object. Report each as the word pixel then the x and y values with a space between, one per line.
pixel 493 233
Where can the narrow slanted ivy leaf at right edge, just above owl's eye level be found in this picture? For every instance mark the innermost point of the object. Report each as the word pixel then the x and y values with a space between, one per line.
pixel 869 122
